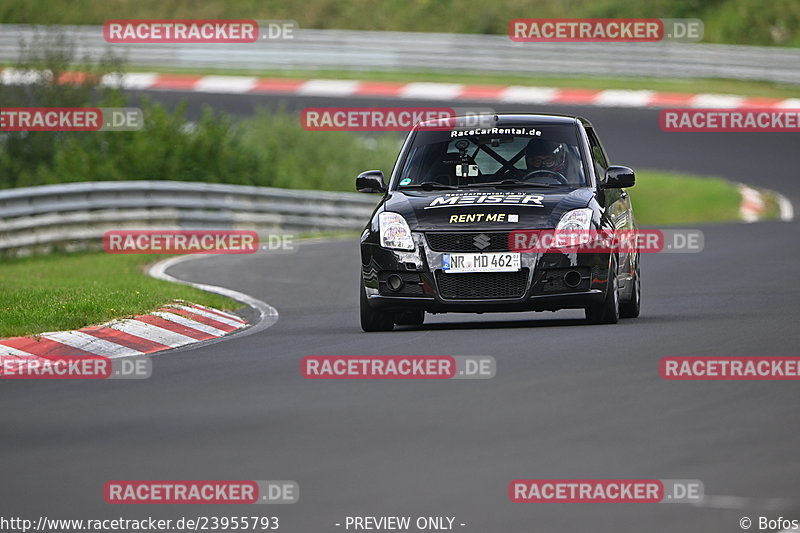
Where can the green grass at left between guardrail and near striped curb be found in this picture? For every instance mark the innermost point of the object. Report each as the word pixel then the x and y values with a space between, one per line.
pixel 64 292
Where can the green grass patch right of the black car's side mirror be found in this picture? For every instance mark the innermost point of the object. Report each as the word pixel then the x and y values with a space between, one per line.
pixel 666 198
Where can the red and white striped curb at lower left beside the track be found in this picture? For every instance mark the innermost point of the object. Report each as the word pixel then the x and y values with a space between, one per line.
pixel 174 325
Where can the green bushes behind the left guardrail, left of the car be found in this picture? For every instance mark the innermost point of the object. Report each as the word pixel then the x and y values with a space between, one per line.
pixel 270 149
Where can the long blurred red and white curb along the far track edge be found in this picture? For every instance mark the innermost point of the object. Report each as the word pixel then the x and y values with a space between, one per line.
pixel 413 91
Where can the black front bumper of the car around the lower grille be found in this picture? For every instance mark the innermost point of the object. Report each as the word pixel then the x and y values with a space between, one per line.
pixel 538 286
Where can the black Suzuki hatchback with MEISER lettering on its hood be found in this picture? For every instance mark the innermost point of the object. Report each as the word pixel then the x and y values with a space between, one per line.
pixel 441 239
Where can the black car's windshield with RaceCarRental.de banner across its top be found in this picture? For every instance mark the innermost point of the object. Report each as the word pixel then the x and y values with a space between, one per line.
pixel 509 156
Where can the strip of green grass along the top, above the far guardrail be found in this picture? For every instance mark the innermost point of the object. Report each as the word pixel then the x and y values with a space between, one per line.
pixel 776 22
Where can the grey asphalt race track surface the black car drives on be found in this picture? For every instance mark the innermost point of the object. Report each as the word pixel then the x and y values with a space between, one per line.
pixel 568 401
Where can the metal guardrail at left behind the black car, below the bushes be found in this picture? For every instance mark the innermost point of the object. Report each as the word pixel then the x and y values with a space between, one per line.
pixel 76 215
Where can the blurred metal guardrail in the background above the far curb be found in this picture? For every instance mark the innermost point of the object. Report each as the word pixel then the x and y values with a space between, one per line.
pixel 371 50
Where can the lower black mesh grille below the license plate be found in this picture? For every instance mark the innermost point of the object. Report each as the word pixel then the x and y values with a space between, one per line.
pixel 482 285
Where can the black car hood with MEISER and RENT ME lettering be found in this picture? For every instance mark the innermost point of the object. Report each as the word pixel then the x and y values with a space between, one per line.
pixel 486 209
